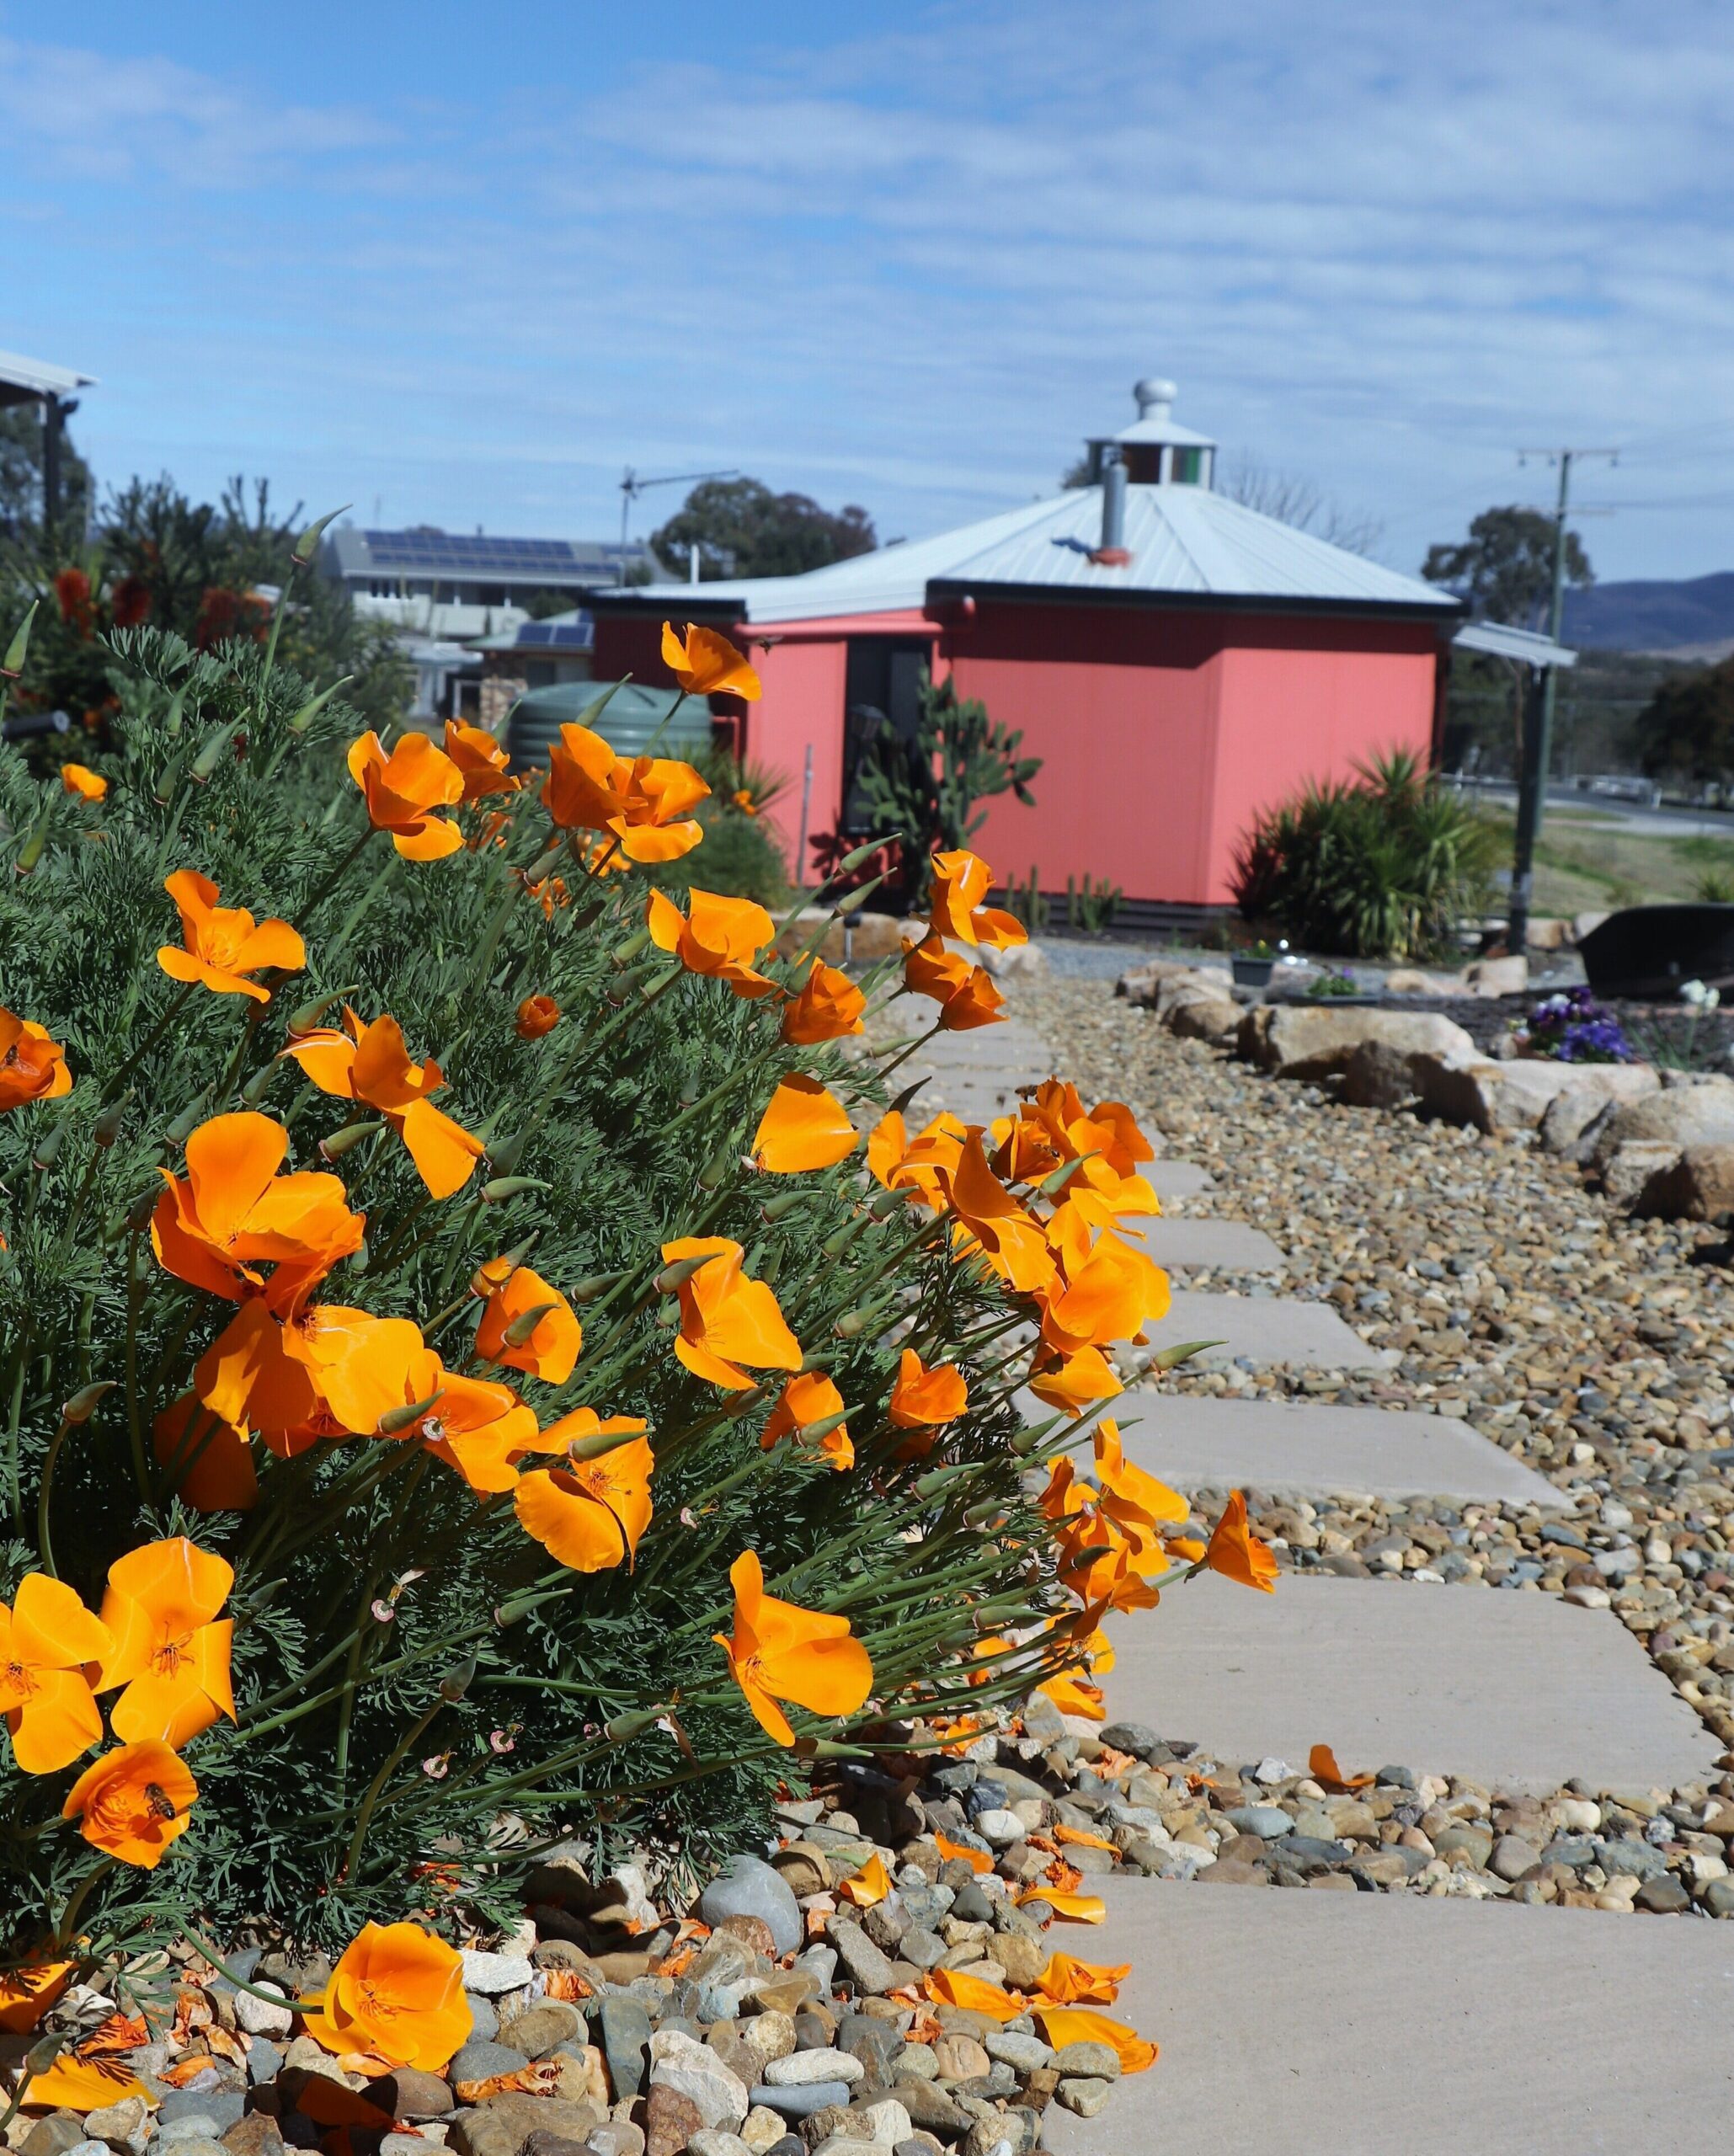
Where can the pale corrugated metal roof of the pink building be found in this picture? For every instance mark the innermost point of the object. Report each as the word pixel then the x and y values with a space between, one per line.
pixel 1185 544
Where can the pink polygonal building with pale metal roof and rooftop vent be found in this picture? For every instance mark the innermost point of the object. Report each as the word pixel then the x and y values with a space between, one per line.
pixel 1174 659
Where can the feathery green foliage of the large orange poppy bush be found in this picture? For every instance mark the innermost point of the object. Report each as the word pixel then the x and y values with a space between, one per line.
pixel 413 1674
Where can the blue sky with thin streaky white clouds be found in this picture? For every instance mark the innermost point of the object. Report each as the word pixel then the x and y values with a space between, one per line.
pixel 467 262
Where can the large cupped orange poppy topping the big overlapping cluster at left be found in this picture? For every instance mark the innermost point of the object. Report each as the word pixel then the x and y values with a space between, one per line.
pixel 232 1213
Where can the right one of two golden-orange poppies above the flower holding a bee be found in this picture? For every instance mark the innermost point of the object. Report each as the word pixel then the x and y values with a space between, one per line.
pixel 171 1648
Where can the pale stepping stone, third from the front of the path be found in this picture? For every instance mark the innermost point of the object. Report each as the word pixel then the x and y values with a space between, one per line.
pixel 1321 1452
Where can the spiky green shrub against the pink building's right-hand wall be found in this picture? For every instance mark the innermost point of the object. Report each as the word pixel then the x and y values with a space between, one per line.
pixel 1386 866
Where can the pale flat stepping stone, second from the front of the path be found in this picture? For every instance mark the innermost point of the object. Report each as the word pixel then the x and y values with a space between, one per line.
pixel 1517 1691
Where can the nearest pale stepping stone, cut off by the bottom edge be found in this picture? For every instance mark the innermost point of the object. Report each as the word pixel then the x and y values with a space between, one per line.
pixel 1349 2021
